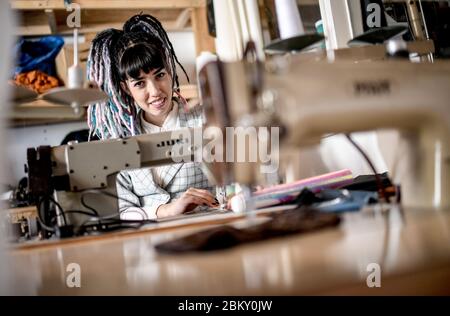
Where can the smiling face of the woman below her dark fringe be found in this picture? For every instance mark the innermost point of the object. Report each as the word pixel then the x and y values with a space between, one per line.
pixel 153 93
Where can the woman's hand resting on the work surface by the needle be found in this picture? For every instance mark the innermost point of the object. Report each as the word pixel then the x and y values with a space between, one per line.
pixel 187 202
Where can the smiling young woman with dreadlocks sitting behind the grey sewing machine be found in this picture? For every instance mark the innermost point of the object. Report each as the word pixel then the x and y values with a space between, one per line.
pixel 136 67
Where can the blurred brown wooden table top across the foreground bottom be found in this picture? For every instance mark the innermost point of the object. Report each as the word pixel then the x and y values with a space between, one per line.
pixel 411 247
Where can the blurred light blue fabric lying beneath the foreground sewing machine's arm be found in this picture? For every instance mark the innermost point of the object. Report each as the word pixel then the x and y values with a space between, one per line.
pixel 337 201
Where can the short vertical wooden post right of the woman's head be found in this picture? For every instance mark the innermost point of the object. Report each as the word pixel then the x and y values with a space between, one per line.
pixel 203 41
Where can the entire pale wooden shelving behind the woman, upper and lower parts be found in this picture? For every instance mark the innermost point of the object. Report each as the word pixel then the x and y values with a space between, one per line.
pixel 46 17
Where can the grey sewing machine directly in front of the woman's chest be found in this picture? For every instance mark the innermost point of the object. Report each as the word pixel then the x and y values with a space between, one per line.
pixel 82 176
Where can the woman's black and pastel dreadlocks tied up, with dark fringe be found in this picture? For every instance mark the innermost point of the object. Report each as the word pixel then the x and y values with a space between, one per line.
pixel 116 55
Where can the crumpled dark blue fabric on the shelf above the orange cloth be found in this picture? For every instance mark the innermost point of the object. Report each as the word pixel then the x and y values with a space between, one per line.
pixel 38 54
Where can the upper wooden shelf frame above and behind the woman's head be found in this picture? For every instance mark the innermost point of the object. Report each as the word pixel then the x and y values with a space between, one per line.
pixel 45 17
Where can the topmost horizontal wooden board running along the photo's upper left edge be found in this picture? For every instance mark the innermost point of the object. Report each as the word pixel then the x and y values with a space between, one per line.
pixel 106 4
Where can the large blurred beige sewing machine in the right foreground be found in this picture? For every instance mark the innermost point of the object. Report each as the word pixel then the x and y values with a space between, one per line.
pixel 309 100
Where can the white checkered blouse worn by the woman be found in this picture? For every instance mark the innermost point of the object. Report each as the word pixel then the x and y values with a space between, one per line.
pixel 151 187
